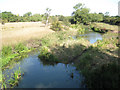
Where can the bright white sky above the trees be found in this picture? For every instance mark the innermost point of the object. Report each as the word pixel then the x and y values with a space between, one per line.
pixel 59 7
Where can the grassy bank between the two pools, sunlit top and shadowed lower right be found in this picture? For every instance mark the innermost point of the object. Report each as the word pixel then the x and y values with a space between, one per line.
pixel 97 62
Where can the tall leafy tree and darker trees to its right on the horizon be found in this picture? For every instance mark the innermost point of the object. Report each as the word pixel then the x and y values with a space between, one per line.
pixel 83 15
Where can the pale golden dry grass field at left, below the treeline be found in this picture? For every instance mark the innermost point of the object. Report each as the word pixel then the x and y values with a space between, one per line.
pixel 13 33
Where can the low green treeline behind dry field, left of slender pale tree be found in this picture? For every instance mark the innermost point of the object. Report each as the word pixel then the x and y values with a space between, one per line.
pixel 27 17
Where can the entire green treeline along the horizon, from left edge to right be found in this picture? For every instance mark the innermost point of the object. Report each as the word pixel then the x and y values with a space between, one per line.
pixel 80 15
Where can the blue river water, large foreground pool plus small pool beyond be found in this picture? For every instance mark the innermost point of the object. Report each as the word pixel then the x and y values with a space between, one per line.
pixel 40 74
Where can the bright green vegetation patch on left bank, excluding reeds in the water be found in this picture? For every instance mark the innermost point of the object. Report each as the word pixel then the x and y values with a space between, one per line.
pixel 9 53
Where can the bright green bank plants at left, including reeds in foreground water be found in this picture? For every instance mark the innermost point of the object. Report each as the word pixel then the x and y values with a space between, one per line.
pixel 10 53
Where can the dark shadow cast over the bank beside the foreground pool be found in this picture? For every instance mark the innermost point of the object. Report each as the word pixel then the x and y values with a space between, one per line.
pixel 100 69
